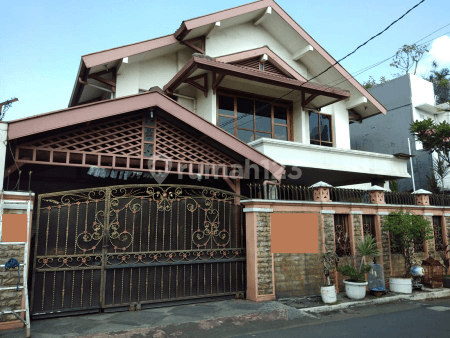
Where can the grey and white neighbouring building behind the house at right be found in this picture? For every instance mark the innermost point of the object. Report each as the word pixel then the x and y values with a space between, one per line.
pixel 407 99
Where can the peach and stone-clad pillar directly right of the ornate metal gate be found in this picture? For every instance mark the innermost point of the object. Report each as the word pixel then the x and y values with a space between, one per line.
pixel 260 270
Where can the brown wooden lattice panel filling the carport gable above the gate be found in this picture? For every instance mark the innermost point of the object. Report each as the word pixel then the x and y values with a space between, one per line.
pixel 140 141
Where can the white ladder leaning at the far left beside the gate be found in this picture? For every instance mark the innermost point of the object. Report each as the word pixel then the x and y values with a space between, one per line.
pixel 24 264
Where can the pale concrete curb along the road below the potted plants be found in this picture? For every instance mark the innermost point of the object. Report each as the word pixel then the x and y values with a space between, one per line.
pixel 418 296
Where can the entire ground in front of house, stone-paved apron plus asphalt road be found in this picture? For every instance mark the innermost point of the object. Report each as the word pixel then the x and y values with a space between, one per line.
pixel 237 318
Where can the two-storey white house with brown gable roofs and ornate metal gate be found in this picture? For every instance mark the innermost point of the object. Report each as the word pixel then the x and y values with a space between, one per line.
pixel 140 183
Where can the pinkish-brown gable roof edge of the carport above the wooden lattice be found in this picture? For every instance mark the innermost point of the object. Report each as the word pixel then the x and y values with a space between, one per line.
pixel 153 98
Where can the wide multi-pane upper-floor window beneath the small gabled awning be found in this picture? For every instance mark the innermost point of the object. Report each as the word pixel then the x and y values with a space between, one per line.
pixel 250 119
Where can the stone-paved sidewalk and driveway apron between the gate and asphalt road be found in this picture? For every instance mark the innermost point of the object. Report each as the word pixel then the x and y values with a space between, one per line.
pixel 173 321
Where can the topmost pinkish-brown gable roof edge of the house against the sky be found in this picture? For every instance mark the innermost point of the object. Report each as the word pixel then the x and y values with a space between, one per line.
pixel 189 26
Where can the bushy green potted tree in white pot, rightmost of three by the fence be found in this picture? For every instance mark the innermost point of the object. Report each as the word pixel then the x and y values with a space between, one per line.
pixel 405 229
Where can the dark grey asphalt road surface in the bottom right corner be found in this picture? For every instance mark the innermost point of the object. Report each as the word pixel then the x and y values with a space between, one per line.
pixel 411 319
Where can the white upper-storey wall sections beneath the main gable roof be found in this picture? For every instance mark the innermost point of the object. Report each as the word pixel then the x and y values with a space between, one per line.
pixel 158 72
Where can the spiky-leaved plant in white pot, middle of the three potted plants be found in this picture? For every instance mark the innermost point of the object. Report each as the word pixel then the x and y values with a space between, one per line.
pixel 355 285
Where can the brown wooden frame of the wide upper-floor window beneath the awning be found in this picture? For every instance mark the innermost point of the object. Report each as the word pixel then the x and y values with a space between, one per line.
pixel 254 97
